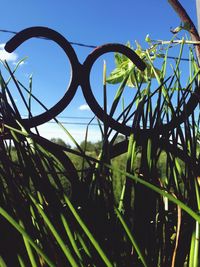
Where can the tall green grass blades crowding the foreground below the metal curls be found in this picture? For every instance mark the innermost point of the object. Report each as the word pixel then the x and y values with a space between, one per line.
pixel 128 200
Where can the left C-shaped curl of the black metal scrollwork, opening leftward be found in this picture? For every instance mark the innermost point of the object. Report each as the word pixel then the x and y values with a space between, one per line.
pixel 28 33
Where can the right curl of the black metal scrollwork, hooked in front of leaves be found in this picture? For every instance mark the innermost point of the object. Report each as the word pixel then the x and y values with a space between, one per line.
pixel 122 128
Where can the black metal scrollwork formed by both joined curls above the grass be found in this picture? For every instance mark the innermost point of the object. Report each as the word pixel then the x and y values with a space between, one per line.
pixel 80 75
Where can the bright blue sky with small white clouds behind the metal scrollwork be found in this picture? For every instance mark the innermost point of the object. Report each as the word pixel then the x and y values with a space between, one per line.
pixel 89 22
